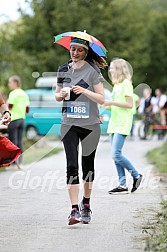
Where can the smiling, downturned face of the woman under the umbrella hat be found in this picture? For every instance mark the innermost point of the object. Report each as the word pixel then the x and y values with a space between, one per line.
pixel 77 53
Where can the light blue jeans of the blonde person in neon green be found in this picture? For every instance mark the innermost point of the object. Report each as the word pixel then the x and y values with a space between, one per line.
pixel 121 162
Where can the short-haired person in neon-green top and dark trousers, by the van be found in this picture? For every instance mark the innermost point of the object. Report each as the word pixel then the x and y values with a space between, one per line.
pixel 18 103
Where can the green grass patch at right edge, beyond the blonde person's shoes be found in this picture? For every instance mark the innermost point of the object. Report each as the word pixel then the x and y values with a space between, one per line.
pixel 158 157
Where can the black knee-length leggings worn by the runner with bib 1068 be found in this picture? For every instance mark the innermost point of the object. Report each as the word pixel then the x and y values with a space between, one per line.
pixel 89 137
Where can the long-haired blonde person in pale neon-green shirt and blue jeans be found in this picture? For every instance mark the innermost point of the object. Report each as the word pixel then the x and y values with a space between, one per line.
pixel 121 122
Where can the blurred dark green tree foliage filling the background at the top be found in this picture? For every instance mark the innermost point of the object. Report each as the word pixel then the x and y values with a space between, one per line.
pixel 130 29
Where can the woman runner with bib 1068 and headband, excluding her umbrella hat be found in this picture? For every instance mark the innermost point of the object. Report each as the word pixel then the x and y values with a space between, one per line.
pixel 80 87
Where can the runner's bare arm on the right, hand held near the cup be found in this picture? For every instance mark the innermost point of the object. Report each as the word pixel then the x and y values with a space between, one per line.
pixel 97 96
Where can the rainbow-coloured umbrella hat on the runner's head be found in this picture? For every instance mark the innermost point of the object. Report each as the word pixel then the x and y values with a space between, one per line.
pixel 64 39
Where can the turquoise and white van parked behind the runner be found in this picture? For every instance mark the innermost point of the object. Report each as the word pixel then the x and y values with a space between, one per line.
pixel 45 115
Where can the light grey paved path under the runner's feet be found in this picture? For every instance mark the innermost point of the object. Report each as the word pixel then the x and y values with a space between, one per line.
pixel 34 206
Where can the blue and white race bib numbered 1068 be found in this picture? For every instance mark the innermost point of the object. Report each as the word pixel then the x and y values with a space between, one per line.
pixel 77 109
